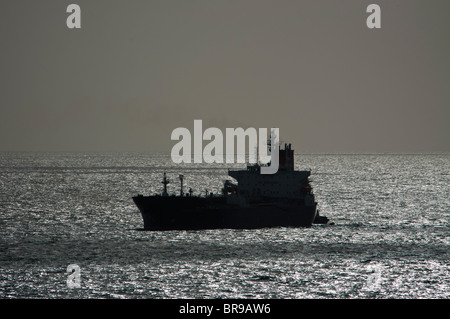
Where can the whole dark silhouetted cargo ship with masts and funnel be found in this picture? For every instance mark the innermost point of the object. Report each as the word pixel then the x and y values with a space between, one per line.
pixel 283 199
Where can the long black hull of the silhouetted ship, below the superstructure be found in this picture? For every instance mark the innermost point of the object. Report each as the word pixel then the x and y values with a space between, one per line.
pixel 193 213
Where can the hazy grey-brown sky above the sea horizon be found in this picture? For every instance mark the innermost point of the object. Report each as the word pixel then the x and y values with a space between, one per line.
pixel 138 69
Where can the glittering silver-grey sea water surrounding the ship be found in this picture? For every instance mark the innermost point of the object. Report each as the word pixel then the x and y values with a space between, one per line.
pixel 390 238
